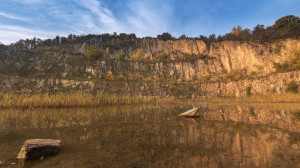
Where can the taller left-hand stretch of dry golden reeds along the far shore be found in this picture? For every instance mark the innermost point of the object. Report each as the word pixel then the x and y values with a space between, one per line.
pixel 23 100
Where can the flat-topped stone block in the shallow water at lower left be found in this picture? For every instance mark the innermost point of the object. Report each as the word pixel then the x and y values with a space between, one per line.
pixel 37 148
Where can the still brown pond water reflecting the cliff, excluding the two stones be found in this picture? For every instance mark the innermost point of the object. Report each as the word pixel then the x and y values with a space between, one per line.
pixel 154 136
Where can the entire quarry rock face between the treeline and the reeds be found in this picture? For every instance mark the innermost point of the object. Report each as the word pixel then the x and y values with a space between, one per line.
pixel 202 76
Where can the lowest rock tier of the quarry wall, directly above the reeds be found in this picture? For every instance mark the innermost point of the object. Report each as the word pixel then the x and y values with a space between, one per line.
pixel 275 83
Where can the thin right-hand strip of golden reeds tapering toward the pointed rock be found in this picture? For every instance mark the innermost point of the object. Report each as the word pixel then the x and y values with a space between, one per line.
pixel 268 98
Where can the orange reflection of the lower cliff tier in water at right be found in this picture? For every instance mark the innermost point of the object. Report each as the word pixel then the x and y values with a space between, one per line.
pixel 269 115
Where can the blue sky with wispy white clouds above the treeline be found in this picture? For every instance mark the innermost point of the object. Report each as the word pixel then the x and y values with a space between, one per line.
pixel 21 19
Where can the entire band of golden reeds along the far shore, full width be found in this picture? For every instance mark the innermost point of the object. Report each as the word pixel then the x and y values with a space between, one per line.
pixel 25 100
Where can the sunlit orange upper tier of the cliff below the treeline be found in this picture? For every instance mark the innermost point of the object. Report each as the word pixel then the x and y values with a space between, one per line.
pixel 223 57
